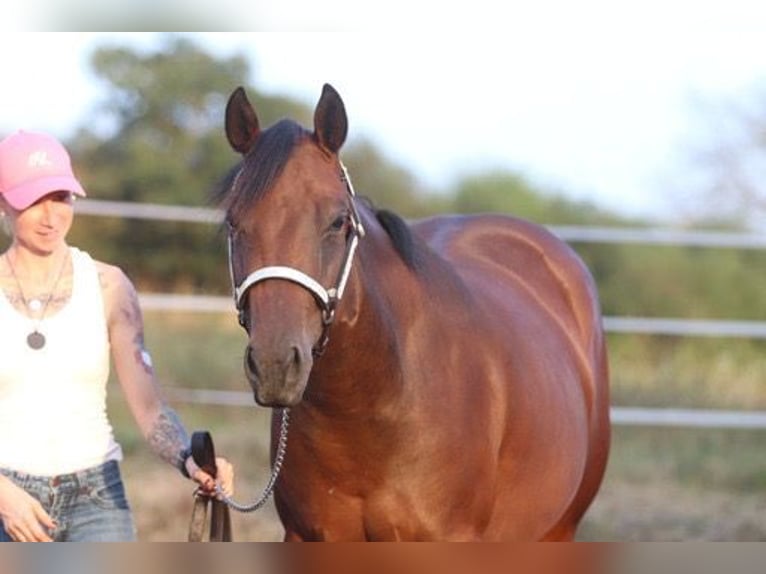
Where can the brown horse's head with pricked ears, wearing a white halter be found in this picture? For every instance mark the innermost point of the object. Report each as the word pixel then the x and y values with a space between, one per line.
pixel 293 229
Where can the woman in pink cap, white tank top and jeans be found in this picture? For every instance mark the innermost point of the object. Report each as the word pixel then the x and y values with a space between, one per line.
pixel 61 314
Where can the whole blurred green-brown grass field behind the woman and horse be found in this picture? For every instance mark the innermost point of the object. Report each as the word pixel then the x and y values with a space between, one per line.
pixel 661 484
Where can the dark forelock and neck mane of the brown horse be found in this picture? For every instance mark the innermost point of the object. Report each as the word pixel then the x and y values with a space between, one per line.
pixel 249 180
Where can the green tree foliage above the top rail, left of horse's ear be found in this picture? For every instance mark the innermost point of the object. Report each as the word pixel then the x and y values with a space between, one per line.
pixel 167 145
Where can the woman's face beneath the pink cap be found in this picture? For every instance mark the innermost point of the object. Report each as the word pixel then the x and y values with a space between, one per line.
pixel 43 226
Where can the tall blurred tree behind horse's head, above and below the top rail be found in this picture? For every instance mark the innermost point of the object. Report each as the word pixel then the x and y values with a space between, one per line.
pixel 158 138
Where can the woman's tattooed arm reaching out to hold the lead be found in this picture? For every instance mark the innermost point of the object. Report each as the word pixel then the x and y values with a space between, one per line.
pixel 159 424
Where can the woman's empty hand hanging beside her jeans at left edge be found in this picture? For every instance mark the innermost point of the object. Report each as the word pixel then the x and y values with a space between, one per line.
pixel 24 518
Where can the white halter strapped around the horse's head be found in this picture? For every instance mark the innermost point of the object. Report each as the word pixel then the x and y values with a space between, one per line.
pixel 327 299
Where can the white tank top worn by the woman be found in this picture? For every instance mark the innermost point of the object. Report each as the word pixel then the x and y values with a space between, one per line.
pixel 53 400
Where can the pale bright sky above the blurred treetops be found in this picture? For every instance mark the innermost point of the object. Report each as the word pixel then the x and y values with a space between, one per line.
pixel 597 108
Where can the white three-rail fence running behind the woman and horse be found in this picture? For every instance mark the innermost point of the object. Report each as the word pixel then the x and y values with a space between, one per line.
pixel 699 418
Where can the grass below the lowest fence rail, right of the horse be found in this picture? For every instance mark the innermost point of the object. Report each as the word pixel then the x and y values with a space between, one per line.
pixel 681 484
